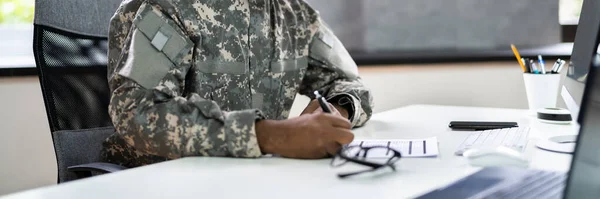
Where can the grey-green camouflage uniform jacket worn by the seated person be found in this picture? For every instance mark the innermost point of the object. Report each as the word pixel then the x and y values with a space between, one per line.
pixel 190 78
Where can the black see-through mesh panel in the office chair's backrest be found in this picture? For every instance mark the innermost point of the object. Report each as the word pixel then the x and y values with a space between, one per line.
pixel 72 71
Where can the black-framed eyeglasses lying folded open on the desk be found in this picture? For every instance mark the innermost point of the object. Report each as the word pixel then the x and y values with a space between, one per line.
pixel 358 154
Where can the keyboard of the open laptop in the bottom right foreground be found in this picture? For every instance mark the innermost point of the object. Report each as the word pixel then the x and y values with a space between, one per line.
pixel 535 184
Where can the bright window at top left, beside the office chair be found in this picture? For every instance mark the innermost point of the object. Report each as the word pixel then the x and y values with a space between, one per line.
pixel 16 33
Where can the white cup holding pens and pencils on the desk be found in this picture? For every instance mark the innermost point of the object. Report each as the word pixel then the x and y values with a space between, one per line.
pixel 541 89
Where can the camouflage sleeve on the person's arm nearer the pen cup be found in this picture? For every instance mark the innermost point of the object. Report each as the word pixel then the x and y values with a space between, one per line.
pixel 332 71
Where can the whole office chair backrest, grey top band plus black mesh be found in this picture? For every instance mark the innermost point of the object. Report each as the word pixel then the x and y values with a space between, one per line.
pixel 70 50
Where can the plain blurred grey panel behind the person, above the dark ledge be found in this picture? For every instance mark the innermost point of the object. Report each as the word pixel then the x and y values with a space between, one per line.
pixel 435 24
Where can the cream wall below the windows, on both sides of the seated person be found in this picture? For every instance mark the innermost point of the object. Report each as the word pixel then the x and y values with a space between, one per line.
pixel 28 161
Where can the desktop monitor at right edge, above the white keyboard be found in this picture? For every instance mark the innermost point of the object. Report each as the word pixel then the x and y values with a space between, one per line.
pixel 585 46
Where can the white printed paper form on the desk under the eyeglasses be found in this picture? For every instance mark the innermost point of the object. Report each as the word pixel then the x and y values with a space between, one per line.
pixel 407 147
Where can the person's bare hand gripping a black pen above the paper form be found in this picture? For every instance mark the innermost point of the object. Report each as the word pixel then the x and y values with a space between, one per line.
pixel 315 134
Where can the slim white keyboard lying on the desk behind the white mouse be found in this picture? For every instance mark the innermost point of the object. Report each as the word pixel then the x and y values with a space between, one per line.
pixel 515 138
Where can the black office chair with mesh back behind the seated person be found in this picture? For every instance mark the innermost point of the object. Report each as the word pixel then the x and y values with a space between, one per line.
pixel 70 49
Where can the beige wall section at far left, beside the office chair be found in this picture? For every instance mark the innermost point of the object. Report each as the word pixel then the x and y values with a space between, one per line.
pixel 27 158
